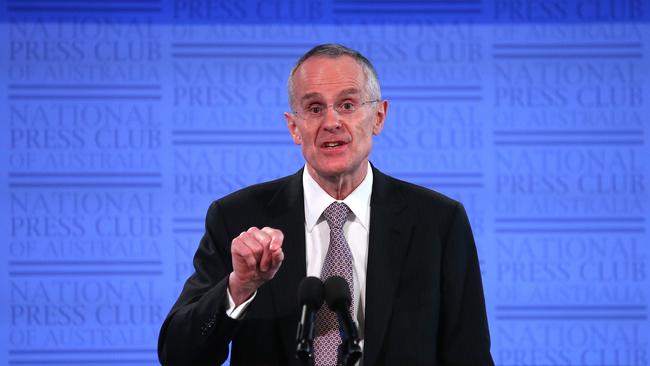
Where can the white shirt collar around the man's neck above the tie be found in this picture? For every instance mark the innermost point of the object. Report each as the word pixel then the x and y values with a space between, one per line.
pixel 317 200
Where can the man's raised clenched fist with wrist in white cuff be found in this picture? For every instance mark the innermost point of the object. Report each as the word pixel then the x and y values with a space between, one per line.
pixel 256 257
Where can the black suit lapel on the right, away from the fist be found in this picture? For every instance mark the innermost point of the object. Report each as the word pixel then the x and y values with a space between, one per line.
pixel 387 247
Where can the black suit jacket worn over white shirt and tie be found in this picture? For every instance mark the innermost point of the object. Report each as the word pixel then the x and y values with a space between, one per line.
pixel 424 298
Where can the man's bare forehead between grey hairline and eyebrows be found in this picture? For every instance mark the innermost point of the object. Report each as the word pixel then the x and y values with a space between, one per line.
pixel 327 77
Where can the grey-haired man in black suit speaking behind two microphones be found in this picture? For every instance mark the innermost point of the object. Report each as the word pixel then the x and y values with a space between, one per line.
pixel 407 253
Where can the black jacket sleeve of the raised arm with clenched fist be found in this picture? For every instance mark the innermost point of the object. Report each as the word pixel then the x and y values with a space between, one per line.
pixel 197 330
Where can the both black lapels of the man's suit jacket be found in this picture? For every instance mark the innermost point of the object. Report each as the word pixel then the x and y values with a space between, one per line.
pixel 387 247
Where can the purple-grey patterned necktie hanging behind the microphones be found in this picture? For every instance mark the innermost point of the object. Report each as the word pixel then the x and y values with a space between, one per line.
pixel 338 262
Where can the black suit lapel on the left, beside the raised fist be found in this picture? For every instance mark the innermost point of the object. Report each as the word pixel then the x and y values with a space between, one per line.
pixel 288 215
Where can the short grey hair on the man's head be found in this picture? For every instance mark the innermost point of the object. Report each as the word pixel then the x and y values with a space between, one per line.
pixel 334 51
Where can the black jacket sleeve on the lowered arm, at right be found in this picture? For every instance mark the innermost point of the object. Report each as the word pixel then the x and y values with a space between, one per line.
pixel 464 337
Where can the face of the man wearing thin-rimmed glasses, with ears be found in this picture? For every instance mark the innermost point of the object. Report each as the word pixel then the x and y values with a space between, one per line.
pixel 334 145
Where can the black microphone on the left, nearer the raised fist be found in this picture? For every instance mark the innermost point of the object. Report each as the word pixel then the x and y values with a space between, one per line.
pixel 310 297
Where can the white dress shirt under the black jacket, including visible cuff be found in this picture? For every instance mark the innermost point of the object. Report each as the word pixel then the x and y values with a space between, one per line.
pixel 317 232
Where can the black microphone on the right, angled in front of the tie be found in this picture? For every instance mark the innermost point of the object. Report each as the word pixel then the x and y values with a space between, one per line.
pixel 337 295
